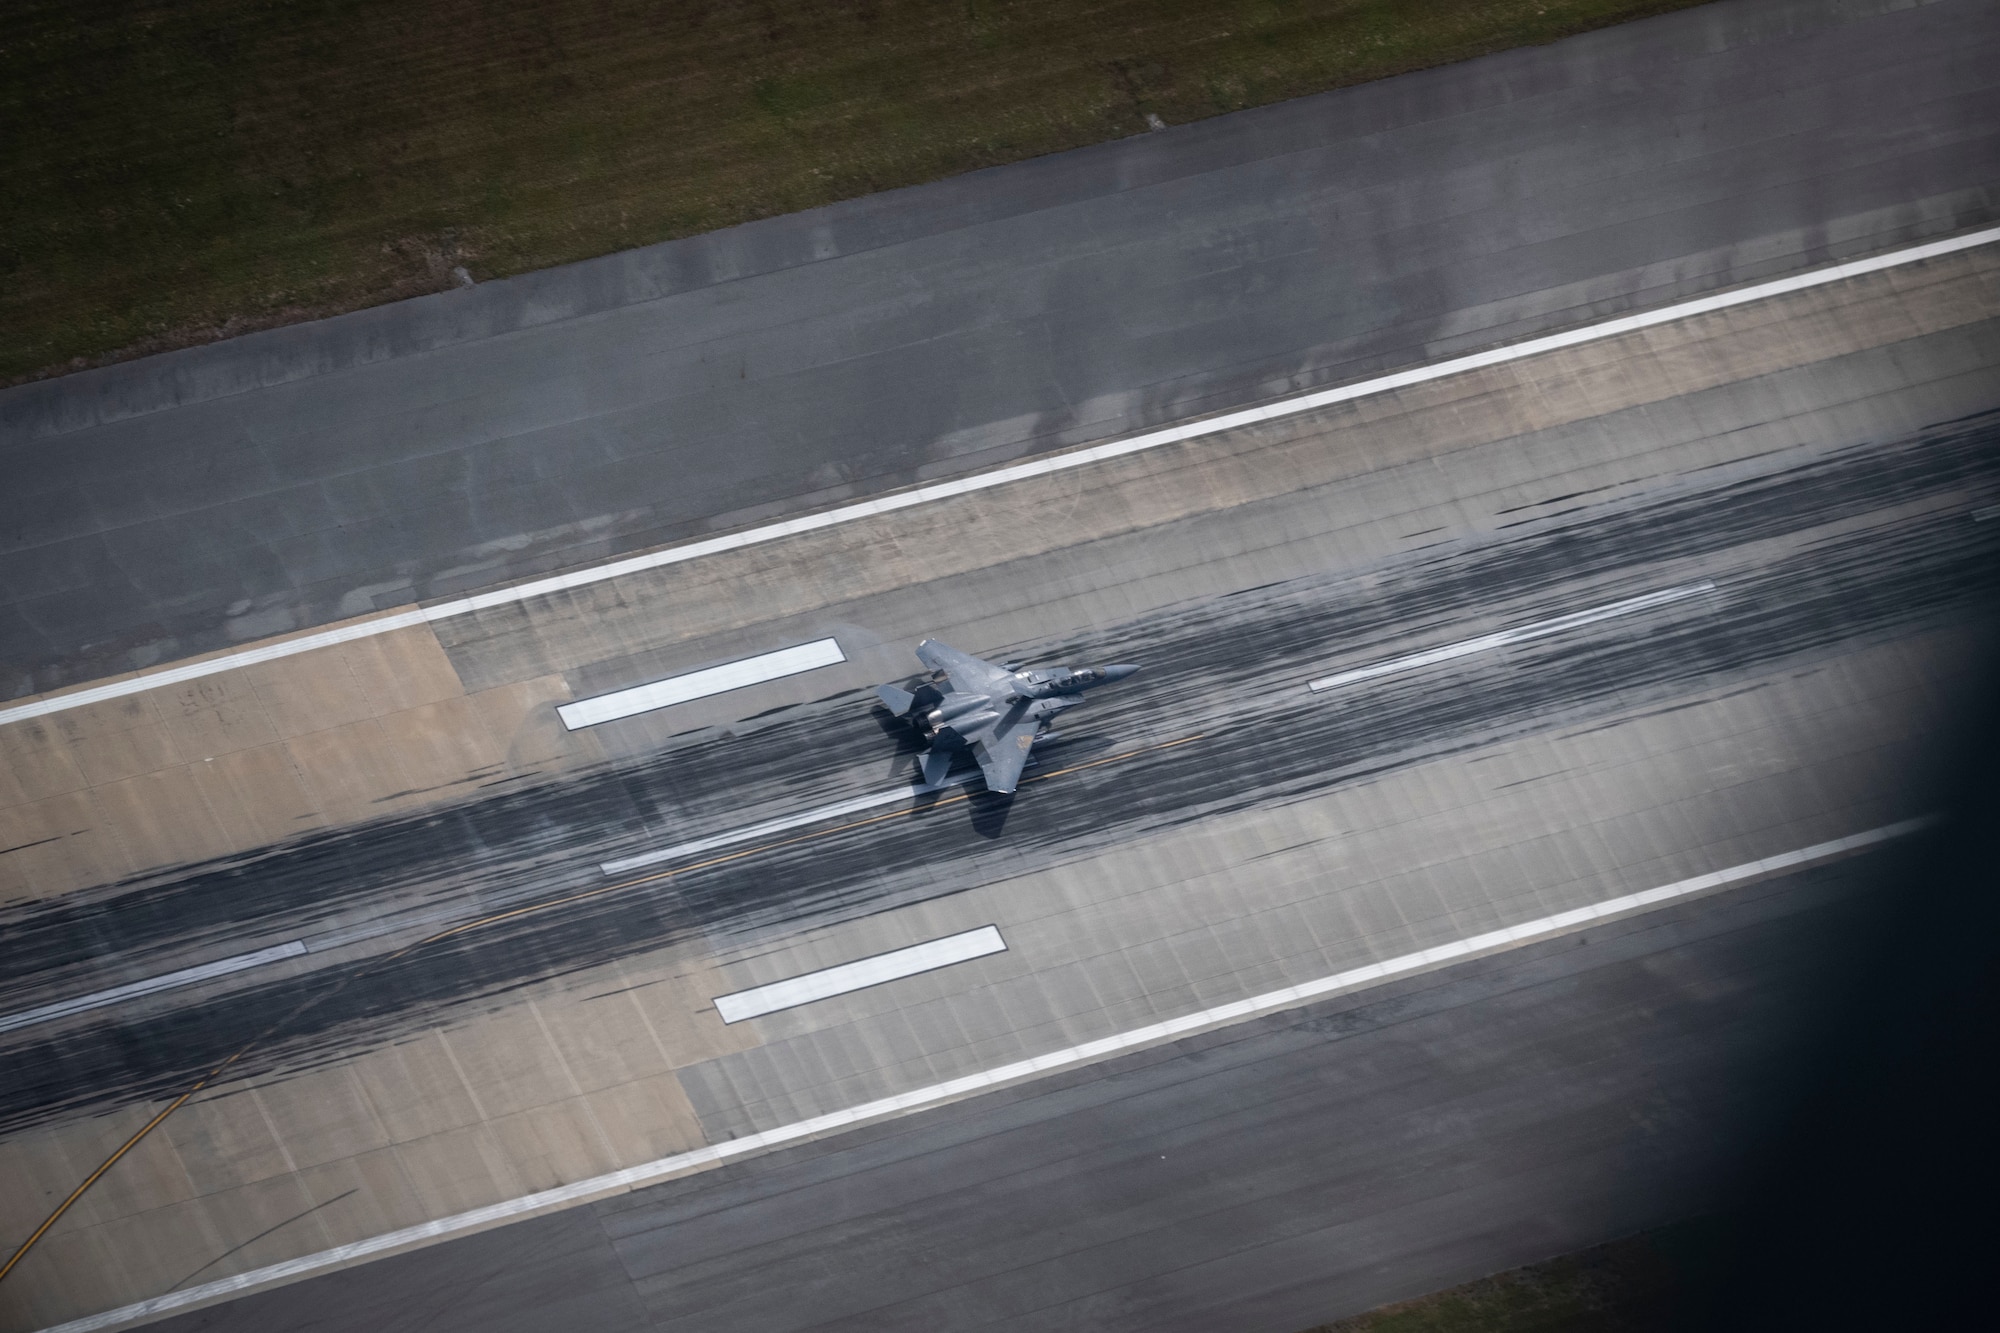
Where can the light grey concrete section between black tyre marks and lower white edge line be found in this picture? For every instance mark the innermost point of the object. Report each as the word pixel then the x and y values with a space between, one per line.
pixel 1369 872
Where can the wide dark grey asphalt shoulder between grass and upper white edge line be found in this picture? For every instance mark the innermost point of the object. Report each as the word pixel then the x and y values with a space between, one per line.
pixel 285 479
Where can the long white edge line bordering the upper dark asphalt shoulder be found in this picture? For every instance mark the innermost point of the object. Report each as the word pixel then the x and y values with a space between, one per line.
pixel 999 477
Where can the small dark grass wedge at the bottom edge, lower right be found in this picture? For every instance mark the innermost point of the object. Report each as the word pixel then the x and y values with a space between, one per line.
pixel 1645 1284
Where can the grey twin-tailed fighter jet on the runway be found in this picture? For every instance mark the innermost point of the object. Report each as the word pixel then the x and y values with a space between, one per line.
pixel 993 710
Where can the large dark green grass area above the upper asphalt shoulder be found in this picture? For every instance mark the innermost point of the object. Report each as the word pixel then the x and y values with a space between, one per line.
pixel 181 171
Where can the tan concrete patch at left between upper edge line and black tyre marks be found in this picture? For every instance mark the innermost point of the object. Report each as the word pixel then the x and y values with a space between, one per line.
pixel 257 756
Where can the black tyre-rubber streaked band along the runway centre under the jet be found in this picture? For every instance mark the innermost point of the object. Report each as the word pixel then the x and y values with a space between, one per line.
pixel 1805 555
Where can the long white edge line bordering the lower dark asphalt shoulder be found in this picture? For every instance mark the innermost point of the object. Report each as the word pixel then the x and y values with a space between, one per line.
pixel 991 1080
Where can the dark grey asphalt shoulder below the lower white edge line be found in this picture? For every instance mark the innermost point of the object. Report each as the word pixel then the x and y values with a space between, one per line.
pixel 1257 1180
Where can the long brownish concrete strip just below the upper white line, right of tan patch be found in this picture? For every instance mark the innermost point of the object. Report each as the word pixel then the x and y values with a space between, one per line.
pixel 711 599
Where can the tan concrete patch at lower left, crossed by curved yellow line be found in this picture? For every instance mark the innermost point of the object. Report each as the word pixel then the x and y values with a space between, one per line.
pixel 565 1082
